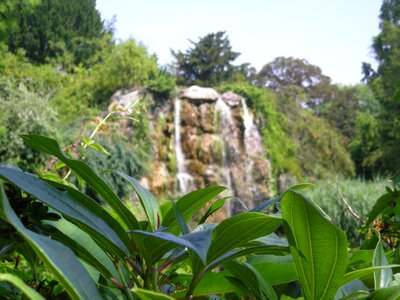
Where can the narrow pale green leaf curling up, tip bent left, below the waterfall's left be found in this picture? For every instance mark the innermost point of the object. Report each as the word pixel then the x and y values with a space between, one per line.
pixel 147 200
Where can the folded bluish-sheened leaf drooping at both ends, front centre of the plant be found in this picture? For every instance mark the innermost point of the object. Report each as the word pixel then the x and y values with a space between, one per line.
pixel 154 245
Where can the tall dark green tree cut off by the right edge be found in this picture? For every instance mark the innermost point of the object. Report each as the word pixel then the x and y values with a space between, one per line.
pixel 385 81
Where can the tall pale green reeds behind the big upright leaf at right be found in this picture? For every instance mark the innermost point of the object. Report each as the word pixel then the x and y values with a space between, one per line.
pixel 361 196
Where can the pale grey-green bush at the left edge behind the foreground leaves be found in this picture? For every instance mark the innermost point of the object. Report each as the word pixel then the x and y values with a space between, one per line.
pixel 22 111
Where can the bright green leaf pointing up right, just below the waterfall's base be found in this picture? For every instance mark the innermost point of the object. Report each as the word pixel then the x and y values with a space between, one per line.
pixel 190 204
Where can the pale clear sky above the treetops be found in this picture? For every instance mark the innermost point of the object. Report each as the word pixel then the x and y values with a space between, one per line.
pixel 335 35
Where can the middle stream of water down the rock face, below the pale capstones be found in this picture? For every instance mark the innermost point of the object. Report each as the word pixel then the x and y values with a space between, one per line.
pixel 226 128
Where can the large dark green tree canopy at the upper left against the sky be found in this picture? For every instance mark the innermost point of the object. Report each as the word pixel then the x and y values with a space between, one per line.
pixel 56 28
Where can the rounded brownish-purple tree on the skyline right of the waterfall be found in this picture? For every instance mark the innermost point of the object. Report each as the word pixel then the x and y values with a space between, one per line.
pixel 283 72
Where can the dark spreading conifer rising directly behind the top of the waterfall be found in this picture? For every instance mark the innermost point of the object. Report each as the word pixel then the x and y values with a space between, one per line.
pixel 208 62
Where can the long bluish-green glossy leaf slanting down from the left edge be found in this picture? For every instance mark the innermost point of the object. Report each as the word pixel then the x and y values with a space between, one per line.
pixel 81 212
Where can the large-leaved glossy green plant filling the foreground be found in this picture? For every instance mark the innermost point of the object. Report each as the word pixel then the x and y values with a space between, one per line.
pixel 128 258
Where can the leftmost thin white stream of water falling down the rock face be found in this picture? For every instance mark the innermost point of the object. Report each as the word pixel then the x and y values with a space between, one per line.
pixel 184 179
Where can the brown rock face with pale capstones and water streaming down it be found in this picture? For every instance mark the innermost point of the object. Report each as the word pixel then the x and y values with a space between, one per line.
pixel 212 133
